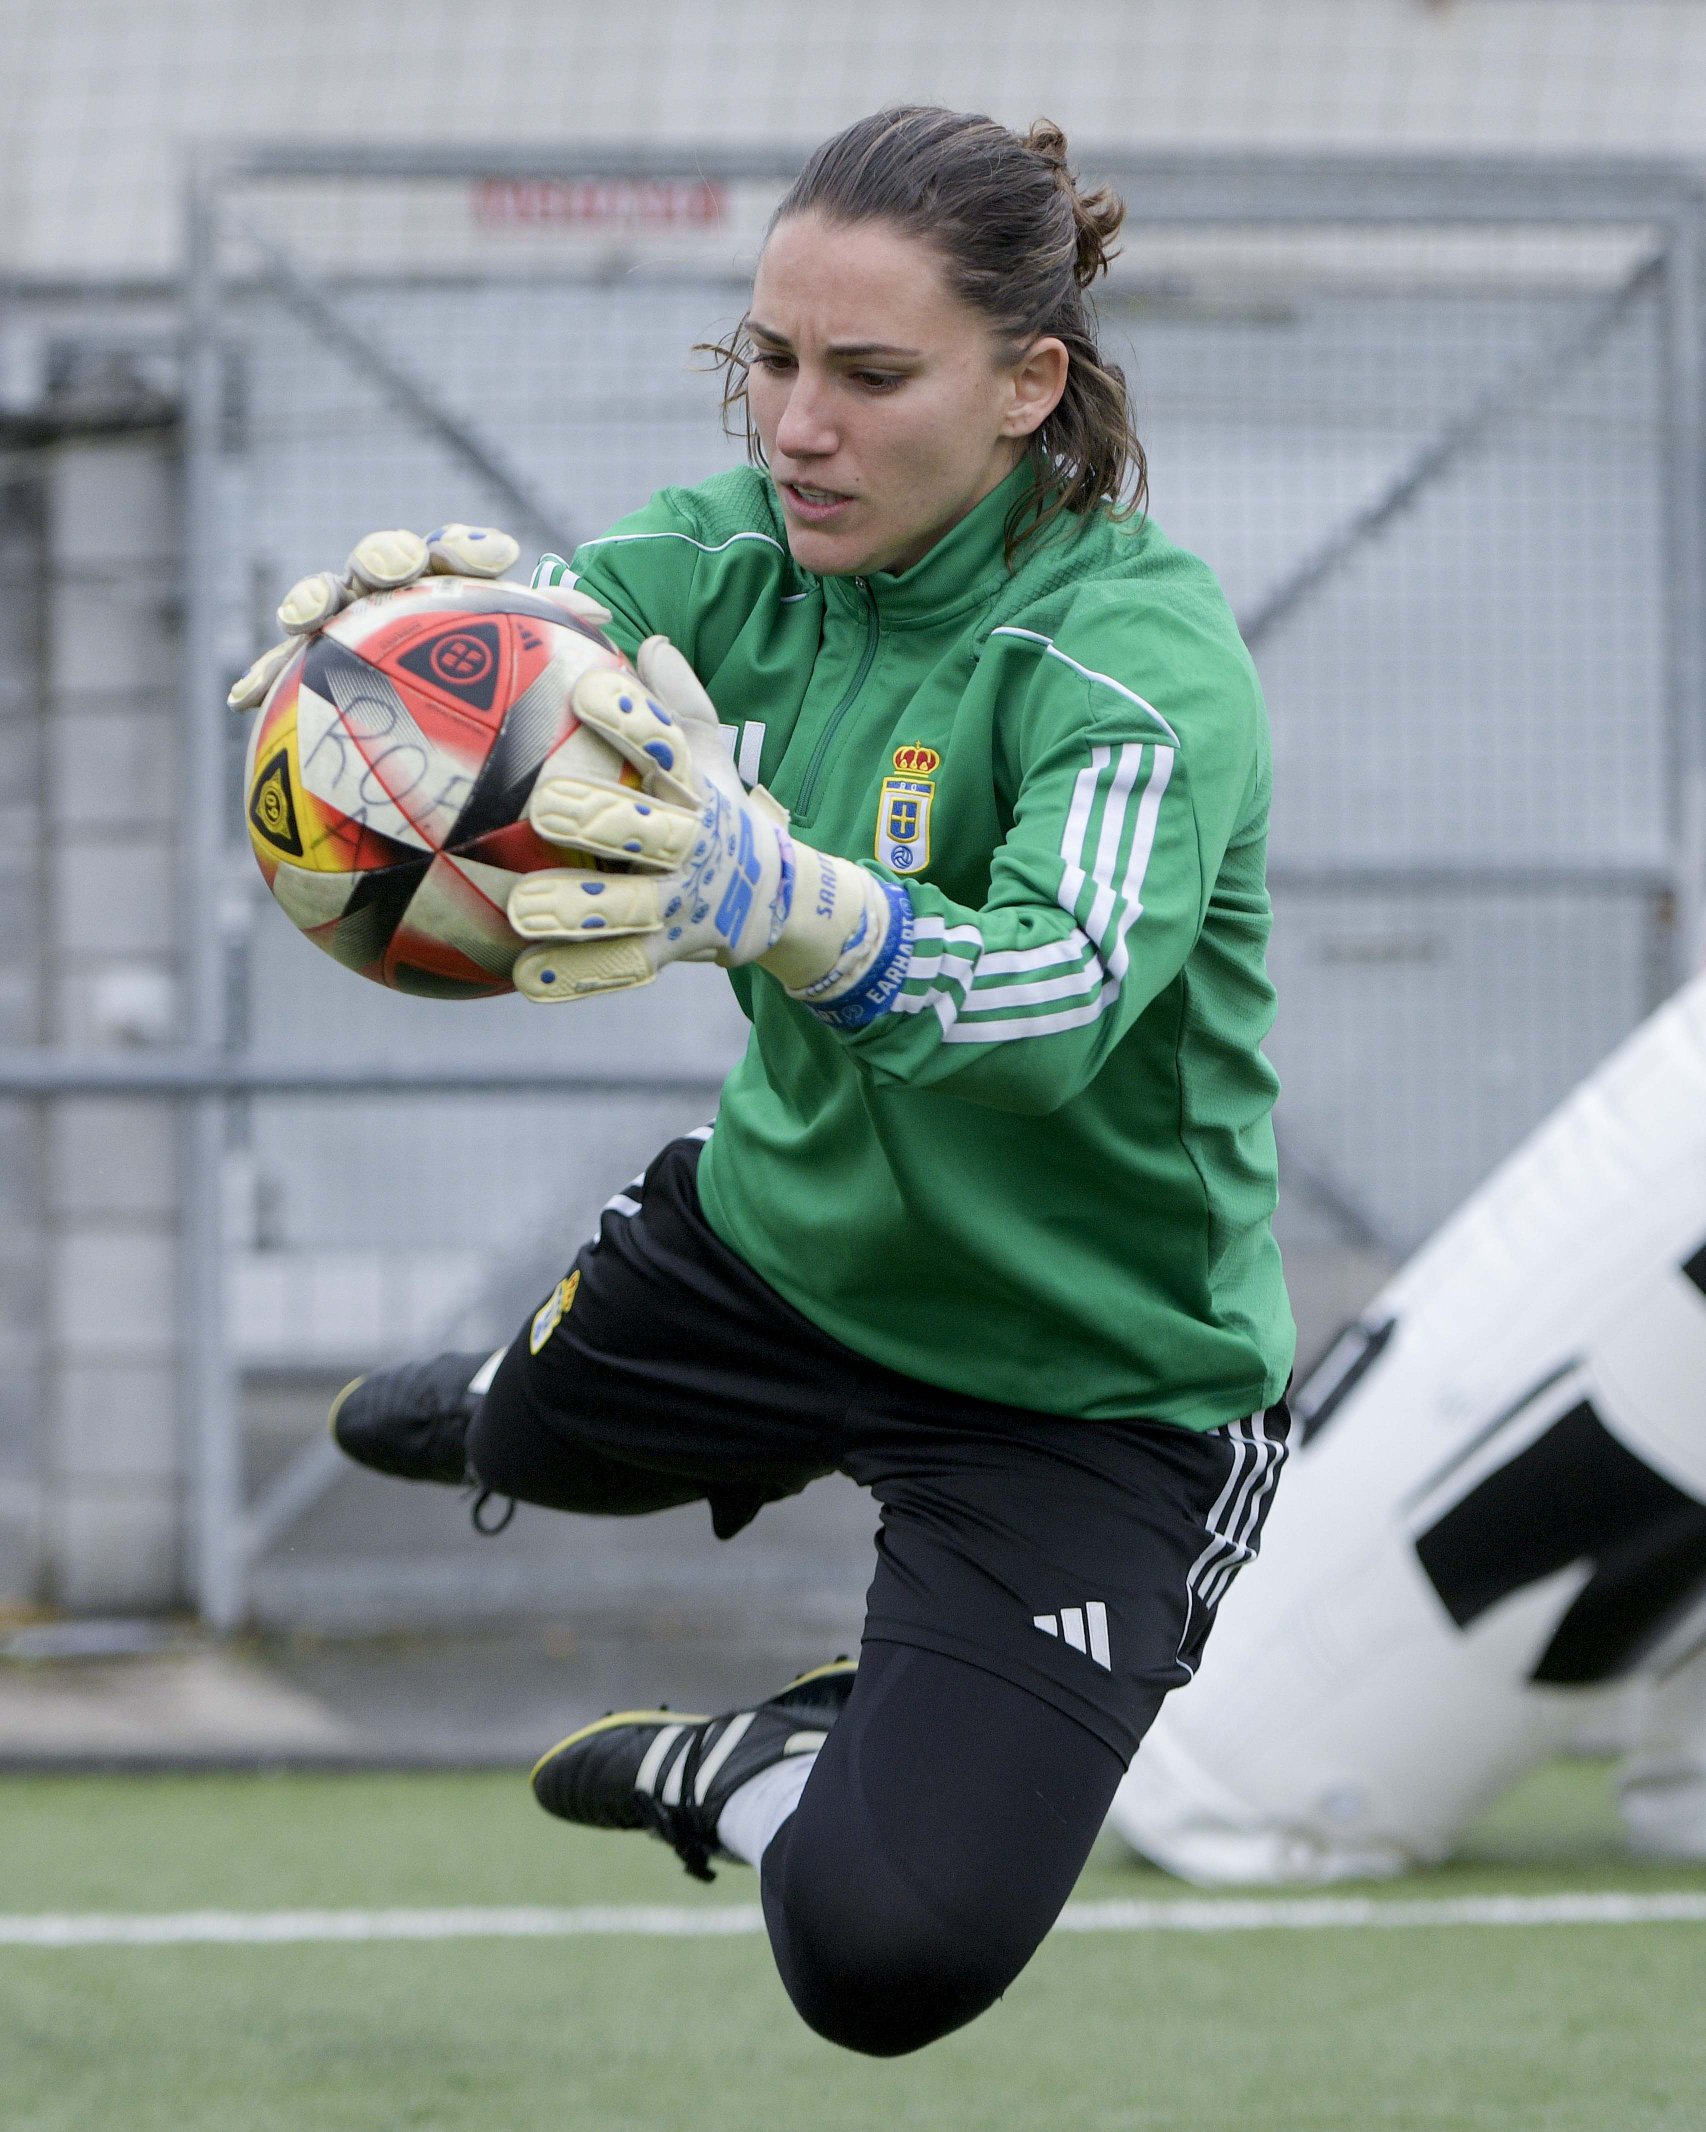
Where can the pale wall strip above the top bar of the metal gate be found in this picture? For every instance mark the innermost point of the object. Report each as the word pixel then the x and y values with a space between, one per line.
pixel 108 93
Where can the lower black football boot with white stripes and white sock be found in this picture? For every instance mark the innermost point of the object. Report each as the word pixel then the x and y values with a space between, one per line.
pixel 673 1775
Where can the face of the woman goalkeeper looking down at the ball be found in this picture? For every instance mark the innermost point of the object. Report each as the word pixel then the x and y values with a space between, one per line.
pixel 882 400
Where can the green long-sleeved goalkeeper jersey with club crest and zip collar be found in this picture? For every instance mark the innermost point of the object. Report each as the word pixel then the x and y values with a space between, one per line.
pixel 1044 1172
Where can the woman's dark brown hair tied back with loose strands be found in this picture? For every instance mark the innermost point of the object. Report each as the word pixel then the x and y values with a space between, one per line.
pixel 1023 244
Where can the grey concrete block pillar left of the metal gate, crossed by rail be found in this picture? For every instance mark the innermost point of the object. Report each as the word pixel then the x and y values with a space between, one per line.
pixel 112 1461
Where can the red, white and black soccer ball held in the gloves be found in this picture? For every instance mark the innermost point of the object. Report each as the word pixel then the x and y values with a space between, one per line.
pixel 389 773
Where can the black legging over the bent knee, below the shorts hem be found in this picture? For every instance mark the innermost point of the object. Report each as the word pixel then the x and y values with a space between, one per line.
pixel 933 1847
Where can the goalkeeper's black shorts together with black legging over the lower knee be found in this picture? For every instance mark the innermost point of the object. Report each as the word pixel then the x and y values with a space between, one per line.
pixel 1042 1585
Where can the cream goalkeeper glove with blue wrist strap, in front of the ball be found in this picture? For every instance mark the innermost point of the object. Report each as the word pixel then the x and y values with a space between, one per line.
pixel 709 869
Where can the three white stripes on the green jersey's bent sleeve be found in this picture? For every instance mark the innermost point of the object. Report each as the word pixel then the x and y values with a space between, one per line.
pixel 993 995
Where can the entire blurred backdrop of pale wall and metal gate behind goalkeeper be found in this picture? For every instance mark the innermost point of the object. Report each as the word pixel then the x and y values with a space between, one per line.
pixel 1413 310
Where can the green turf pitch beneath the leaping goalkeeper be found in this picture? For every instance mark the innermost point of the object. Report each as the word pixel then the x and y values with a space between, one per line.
pixel 1583 2029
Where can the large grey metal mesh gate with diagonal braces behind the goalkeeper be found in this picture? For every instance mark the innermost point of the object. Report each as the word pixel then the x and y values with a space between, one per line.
pixel 1436 425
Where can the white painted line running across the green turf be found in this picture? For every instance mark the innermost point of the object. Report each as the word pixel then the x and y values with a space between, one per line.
pixel 1313 1913
